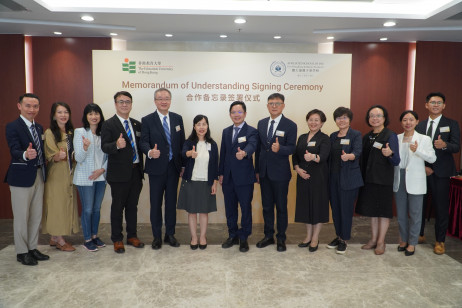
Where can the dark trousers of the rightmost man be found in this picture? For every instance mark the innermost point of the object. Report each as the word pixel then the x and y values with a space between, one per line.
pixel 439 189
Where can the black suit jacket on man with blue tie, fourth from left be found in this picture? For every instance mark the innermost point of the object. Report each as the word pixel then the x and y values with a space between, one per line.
pixel 120 161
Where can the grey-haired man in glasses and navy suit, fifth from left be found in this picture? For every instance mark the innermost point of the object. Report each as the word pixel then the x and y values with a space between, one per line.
pixel 162 140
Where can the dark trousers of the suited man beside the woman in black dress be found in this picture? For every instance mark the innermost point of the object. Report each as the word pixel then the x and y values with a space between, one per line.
pixel 274 192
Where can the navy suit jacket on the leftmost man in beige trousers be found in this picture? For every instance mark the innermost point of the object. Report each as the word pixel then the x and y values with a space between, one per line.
pixel 22 173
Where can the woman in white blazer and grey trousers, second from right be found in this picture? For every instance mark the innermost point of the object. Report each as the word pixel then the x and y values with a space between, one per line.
pixel 410 181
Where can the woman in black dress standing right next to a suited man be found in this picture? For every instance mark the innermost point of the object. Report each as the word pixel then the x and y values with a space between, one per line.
pixel 310 162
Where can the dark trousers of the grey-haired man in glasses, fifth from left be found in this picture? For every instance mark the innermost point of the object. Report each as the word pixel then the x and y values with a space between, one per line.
pixel 158 185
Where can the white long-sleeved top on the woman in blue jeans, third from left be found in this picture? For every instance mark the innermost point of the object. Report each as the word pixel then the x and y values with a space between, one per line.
pixel 85 159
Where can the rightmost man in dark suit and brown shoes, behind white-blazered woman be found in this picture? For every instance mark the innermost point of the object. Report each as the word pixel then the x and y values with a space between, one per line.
pixel 445 134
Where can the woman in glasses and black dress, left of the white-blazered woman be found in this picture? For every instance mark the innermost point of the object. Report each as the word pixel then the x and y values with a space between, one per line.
pixel 380 155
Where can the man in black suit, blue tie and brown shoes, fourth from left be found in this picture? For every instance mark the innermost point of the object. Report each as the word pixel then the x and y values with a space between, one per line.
pixel 120 139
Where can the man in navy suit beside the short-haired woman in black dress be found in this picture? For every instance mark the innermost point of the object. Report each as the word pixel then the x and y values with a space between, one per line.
pixel 278 136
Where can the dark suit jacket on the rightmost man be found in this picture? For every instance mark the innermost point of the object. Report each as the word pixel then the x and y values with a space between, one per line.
pixel 444 165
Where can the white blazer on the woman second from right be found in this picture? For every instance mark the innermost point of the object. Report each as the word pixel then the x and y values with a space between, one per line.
pixel 416 179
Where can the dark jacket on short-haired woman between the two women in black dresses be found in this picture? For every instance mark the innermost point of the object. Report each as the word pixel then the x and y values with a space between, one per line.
pixel 350 171
